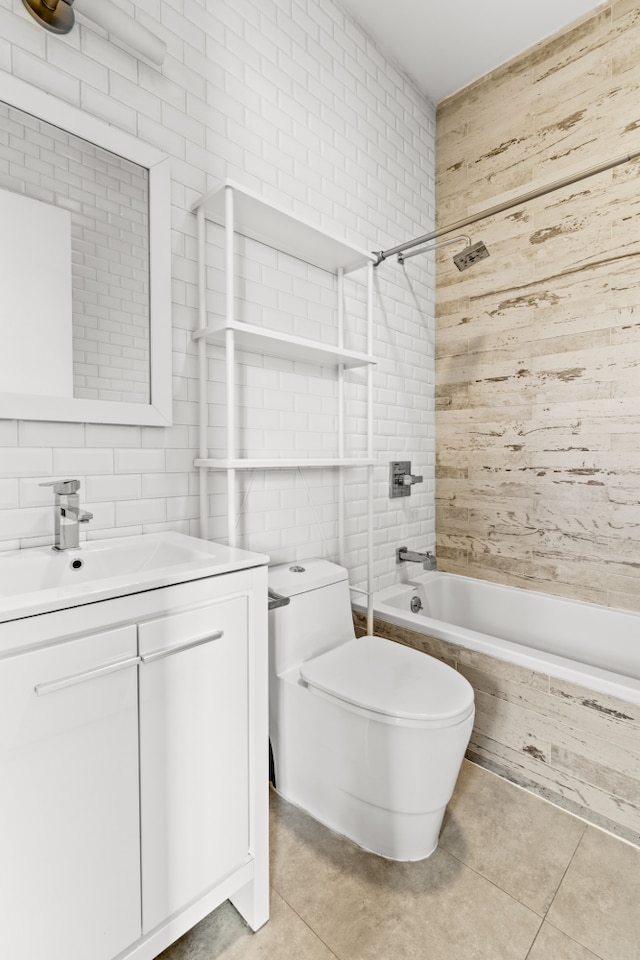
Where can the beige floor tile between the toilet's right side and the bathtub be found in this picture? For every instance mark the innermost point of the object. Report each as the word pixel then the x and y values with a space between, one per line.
pixel 512 838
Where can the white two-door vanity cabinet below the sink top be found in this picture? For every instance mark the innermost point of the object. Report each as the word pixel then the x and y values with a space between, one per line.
pixel 133 769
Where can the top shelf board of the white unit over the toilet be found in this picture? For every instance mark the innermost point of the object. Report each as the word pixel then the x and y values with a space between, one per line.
pixel 268 223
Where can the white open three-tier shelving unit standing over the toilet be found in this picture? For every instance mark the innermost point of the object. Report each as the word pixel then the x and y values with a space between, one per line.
pixel 242 211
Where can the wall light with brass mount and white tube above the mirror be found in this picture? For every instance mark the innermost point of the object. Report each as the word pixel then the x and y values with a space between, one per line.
pixel 58 16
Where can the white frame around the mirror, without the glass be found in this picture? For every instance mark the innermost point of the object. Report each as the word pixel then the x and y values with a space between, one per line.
pixel 44 106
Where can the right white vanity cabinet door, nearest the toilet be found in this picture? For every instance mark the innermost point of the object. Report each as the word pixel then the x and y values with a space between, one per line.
pixel 193 753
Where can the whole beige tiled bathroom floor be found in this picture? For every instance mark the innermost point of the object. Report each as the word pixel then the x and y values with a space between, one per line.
pixel 513 878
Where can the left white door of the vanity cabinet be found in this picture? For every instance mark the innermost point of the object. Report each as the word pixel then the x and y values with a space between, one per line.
pixel 69 818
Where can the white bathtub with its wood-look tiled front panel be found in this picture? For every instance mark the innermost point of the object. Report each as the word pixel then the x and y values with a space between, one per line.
pixel 556 685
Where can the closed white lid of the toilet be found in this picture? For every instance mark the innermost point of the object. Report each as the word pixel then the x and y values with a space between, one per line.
pixel 388 678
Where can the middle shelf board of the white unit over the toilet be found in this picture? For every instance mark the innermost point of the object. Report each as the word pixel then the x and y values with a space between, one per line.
pixel 274 344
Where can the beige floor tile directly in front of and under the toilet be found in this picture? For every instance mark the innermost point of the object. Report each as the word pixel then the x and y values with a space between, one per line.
pixel 367 908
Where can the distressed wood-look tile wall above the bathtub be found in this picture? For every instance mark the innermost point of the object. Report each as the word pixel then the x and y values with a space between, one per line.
pixel 538 347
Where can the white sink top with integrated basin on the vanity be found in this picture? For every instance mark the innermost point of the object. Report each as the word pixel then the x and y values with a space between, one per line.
pixel 39 579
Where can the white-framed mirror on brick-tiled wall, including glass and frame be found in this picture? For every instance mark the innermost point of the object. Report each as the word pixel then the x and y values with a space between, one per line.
pixel 85 266
